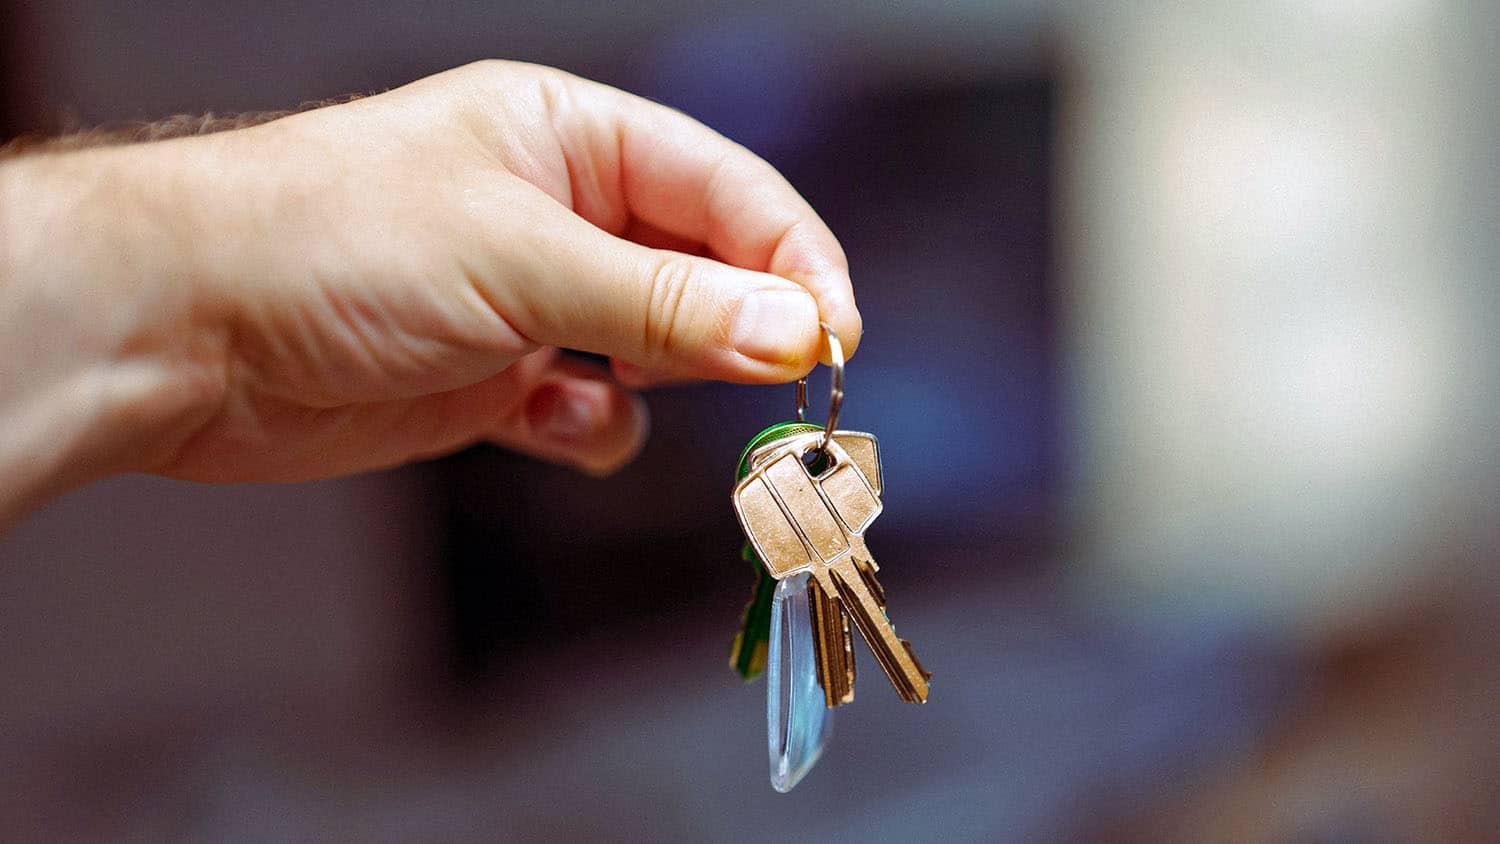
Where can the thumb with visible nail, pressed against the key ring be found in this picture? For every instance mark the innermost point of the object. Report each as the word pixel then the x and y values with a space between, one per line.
pixel 664 311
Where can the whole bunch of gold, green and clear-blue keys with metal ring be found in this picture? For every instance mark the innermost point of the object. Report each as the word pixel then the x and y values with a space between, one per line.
pixel 805 497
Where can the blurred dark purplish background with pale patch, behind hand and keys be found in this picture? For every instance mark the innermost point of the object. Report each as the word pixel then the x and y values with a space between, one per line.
pixel 1181 349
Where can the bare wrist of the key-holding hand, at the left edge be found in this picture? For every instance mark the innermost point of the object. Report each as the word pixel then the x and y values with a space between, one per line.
pixel 112 361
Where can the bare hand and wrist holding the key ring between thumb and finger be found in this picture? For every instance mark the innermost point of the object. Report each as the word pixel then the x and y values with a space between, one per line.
pixel 386 280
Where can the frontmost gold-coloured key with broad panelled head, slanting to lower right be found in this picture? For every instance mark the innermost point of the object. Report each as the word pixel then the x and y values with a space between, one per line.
pixel 803 522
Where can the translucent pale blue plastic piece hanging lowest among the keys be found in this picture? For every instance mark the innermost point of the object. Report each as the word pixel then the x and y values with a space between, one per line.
pixel 799 723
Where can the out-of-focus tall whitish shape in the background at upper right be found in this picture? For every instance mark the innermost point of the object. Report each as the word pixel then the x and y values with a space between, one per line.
pixel 1280 233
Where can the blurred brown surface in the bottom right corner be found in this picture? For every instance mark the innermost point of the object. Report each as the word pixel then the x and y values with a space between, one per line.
pixel 1394 741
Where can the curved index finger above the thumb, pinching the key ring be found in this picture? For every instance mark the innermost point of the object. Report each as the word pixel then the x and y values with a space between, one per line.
pixel 632 160
